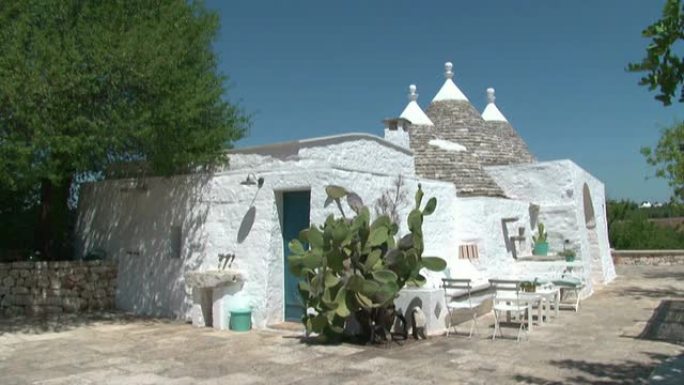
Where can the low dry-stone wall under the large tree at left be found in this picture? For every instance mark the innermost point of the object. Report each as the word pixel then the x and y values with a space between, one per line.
pixel 38 288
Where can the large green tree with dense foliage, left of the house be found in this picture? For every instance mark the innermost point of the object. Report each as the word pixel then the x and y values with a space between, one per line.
pixel 88 83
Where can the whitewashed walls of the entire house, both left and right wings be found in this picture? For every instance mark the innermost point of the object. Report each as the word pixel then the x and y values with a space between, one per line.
pixel 135 225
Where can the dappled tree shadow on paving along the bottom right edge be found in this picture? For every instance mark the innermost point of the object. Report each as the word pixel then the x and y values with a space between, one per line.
pixel 587 372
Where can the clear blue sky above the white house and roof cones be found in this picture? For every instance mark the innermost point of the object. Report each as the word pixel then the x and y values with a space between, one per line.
pixel 314 68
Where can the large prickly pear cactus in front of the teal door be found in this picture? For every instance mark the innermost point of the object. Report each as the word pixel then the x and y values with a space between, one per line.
pixel 355 265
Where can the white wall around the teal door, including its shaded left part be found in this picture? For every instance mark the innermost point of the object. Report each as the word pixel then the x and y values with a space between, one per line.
pixel 211 211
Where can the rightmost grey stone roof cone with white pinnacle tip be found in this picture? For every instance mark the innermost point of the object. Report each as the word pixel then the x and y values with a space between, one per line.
pixel 509 146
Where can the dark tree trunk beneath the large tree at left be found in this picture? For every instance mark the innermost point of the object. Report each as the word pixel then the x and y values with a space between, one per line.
pixel 53 219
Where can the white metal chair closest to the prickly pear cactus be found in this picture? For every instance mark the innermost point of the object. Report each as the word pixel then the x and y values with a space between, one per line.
pixel 458 296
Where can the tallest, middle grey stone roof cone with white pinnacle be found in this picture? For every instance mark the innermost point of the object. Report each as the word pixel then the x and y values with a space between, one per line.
pixel 453 149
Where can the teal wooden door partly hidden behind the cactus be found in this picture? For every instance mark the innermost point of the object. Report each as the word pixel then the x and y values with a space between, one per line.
pixel 296 207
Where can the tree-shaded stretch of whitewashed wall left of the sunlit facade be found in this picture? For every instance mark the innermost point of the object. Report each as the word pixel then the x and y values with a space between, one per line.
pixel 153 227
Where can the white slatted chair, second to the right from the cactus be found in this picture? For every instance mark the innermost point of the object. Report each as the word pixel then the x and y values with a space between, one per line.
pixel 508 299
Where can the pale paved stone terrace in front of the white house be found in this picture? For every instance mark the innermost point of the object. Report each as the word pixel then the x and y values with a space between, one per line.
pixel 600 345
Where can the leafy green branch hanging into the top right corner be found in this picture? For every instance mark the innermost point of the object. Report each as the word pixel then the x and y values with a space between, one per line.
pixel 663 64
